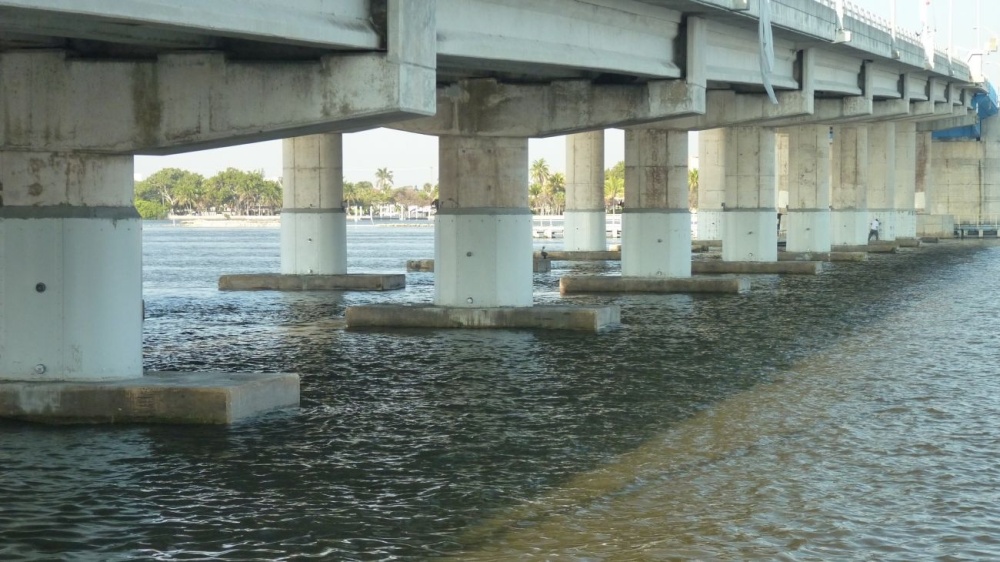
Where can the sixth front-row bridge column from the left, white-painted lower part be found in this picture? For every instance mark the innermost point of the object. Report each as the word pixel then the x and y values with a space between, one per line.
pixel 849 186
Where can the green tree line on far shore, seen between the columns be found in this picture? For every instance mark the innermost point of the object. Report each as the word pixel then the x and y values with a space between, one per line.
pixel 176 191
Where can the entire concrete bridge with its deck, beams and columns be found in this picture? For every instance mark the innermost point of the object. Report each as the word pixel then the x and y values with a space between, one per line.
pixel 88 85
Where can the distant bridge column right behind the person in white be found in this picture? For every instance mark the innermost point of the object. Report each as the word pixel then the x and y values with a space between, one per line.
pixel 882 178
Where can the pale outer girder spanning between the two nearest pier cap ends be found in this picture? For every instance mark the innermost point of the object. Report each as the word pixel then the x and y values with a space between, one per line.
pixel 628 37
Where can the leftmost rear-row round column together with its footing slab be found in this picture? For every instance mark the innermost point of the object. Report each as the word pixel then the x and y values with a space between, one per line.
pixel 313 226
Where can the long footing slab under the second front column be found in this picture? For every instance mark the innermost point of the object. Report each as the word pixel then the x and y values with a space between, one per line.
pixel 579 318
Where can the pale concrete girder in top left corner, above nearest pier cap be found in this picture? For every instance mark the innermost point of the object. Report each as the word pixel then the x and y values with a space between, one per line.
pixel 320 23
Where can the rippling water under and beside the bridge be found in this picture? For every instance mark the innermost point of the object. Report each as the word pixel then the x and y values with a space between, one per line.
pixel 846 416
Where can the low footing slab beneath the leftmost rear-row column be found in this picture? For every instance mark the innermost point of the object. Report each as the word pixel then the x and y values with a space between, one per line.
pixel 344 282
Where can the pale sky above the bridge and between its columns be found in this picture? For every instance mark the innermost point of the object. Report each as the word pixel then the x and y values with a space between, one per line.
pixel 413 158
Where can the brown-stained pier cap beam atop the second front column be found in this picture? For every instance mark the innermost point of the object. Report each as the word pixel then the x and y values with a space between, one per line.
pixel 490 108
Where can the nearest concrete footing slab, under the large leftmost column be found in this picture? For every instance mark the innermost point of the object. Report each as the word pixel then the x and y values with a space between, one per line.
pixel 157 397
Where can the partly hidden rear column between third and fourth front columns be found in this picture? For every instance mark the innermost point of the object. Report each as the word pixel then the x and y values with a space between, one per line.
pixel 711 183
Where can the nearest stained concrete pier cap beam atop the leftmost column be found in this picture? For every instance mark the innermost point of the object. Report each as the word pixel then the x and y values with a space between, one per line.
pixel 196 101
